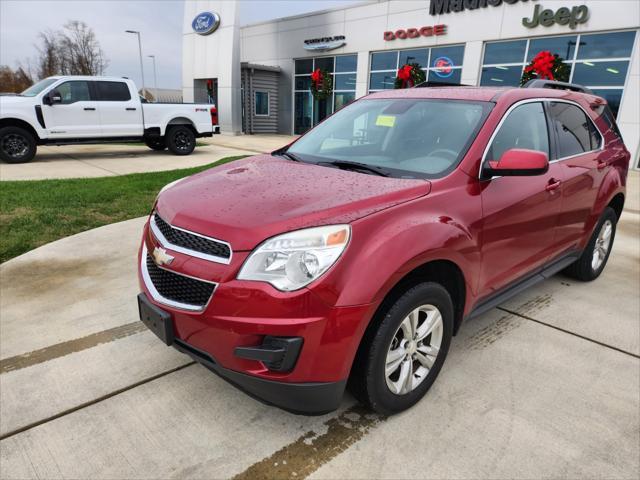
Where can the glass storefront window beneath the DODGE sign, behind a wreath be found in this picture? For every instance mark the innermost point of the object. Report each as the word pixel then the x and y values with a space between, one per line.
pixel 441 64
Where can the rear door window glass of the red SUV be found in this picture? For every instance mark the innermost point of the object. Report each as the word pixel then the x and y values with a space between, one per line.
pixel 575 130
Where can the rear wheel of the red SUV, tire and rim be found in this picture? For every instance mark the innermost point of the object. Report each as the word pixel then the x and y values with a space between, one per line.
pixel 587 267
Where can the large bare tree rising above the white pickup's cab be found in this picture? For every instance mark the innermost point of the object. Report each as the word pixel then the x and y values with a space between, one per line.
pixel 81 52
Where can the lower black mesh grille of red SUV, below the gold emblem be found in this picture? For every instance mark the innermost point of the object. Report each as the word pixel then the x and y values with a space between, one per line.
pixel 177 290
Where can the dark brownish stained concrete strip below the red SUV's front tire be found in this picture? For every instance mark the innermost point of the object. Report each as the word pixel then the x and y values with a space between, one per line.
pixel 310 451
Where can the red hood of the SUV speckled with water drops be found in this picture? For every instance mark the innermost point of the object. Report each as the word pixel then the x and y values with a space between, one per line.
pixel 250 200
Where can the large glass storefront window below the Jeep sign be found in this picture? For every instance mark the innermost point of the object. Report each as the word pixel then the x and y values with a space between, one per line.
pixel 599 61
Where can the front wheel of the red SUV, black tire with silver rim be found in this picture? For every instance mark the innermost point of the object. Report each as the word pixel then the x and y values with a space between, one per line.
pixel 383 345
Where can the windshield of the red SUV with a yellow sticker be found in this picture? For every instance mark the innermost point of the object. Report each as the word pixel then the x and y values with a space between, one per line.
pixel 417 138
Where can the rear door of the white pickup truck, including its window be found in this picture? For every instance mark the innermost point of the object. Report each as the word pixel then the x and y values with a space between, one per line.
pixel 120 112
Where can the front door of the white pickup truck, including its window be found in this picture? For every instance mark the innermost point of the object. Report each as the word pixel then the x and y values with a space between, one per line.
pixel 76 116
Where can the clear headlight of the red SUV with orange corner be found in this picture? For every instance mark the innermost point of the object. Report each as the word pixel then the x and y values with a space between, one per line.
pixel 293 260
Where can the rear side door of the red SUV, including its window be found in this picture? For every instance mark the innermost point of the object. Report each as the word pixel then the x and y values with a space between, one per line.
pixel 584 166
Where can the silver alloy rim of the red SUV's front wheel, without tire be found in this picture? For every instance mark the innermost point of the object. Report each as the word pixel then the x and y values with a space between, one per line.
pixel 413 349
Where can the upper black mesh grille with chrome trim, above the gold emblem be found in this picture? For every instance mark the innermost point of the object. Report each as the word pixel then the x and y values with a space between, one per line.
pixel 214 250
